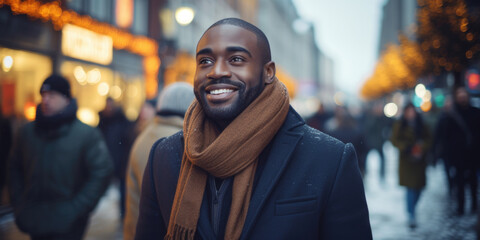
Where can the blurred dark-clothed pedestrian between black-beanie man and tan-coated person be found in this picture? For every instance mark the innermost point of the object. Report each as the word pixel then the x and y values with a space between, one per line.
pixel 119 135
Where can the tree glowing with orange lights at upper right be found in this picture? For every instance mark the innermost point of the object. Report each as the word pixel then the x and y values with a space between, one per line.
pixel 400 66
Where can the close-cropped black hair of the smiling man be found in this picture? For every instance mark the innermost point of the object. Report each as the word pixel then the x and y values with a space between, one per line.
pixel 262 40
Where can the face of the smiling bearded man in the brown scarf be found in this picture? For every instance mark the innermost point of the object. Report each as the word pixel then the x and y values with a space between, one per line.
pixel 229 74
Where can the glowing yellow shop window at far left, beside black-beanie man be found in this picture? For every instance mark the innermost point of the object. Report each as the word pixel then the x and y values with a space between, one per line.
pixel 21 75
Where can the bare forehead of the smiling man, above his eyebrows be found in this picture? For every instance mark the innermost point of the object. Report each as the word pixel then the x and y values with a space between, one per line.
pixel 227 35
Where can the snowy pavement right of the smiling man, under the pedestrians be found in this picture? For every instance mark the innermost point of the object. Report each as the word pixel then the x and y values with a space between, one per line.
pixel 435 210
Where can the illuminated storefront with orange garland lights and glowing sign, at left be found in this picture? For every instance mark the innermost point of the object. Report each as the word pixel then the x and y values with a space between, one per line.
pixel 99 60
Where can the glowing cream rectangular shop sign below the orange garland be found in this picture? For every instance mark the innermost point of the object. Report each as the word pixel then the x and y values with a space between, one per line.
pixel 86 45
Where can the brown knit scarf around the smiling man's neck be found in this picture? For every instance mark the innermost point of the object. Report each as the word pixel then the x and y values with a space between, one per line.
pixel 233 152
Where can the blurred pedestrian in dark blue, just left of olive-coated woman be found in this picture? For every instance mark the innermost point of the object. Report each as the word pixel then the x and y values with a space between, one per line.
pixel 377 129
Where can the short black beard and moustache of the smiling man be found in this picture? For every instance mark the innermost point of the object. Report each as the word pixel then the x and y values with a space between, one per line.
pixel 227 114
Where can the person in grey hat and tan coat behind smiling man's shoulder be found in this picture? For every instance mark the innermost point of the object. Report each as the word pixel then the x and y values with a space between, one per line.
pixel 172 104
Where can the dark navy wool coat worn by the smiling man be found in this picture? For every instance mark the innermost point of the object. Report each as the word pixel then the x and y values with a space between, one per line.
pixel 310 188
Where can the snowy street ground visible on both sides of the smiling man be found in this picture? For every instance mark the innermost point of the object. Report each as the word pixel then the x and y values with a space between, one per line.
pixel 436 220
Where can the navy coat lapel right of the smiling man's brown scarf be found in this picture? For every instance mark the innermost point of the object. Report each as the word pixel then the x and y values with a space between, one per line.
pixel 283 146
